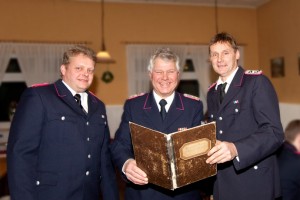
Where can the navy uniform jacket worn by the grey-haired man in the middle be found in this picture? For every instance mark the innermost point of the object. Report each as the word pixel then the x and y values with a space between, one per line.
pixel 183 113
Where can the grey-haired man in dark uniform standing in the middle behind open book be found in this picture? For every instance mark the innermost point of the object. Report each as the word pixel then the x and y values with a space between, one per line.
pixel 182 112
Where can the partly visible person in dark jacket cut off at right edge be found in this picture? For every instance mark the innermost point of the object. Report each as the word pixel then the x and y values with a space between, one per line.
pixel 289 162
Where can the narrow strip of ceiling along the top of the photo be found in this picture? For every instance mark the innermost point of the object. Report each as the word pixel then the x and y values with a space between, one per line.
pixel 222 3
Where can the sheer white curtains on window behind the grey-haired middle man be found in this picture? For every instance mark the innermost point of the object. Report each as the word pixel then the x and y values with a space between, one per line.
pixel 138 56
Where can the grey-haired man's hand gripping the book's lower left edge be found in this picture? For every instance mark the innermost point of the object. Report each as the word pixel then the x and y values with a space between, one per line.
pixel 135 174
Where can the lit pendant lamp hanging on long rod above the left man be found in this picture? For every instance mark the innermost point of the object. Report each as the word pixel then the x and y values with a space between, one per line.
pixel 103 56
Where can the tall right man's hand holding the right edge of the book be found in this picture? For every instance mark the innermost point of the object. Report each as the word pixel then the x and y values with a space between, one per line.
pixel 222 152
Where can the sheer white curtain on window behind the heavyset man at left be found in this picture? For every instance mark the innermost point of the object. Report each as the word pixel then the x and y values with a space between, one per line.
pixel 38 62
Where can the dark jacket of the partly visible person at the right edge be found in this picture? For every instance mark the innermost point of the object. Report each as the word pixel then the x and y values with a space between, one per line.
pixel 289 165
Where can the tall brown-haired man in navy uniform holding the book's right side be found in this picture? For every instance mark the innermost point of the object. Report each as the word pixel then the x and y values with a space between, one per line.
pixel 249 131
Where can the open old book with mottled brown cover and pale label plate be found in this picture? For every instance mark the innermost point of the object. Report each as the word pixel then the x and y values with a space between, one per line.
pixel 177 159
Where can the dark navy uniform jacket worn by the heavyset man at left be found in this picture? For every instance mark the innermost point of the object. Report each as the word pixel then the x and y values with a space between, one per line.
pixel 57 152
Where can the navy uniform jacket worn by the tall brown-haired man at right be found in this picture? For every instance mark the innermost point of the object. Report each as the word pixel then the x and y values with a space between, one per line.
pixel 249 117
